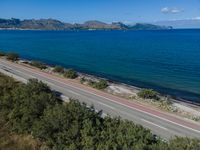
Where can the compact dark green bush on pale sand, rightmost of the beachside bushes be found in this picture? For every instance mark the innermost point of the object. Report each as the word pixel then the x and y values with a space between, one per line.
pixel 148 94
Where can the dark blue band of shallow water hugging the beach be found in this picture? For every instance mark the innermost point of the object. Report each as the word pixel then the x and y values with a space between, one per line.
pixel 176 95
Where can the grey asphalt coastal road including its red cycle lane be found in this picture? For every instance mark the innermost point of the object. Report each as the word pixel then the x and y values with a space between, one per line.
pixel 160 123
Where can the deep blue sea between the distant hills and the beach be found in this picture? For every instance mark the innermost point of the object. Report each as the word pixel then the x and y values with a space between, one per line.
pixel 165 60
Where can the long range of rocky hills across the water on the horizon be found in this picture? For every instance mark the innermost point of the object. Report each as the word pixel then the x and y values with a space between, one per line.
pixel 51 24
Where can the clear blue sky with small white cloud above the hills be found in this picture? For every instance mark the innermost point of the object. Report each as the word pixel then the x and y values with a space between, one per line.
pixel 127 11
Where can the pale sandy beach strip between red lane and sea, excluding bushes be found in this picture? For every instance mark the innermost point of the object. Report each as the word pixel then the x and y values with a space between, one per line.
pixel 184 109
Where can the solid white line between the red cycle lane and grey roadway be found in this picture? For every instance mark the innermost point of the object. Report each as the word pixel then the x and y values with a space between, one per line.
pixel 114 101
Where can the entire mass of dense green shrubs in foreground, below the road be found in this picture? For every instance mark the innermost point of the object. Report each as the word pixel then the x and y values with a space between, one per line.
pixel 36 115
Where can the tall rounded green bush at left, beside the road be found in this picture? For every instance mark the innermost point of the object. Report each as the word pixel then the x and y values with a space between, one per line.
pixel 29 102
